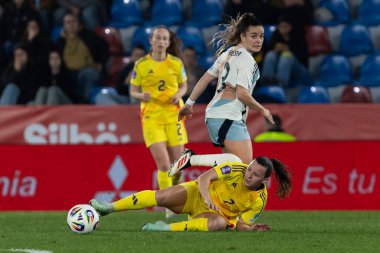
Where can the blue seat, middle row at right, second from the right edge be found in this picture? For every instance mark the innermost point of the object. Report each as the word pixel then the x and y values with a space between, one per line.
pixel 335 70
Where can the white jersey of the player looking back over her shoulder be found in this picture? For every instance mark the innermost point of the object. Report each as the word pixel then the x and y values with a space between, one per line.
pixel 235 67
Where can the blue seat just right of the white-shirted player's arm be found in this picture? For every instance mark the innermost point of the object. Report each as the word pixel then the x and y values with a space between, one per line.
pixel 270 94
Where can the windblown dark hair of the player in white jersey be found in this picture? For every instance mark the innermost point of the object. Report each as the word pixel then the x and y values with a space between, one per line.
pixel 230 35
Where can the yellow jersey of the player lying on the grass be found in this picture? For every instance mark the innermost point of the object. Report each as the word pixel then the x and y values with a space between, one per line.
pixel 233 197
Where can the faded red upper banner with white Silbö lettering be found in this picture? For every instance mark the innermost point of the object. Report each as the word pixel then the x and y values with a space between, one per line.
pixel 93 125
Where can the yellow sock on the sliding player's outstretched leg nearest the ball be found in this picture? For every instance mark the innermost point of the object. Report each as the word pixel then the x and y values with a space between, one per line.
pixel 136 201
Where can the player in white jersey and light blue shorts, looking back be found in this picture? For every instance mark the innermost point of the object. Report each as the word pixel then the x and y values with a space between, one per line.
pixel 226 114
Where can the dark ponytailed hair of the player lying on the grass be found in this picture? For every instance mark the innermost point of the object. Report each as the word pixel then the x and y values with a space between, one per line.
pixel 282 174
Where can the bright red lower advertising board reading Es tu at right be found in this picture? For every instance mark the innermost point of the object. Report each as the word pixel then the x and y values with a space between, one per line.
pixel 326 175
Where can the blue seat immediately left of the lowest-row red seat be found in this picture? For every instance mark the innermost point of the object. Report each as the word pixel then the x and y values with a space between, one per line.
pixel 313 95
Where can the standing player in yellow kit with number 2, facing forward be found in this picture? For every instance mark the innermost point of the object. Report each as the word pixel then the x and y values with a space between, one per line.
pixel 159 82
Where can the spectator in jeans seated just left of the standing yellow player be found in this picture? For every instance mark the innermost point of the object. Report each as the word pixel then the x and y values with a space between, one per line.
pixel 120 95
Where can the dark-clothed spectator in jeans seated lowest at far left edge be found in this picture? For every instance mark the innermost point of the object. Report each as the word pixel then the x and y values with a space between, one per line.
pixel 19 82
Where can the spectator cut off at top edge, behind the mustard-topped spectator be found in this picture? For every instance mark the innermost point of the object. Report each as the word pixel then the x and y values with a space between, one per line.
pixel 88 10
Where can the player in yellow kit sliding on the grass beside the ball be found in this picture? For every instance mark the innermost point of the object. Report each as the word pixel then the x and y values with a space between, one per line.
pixel 229 195
